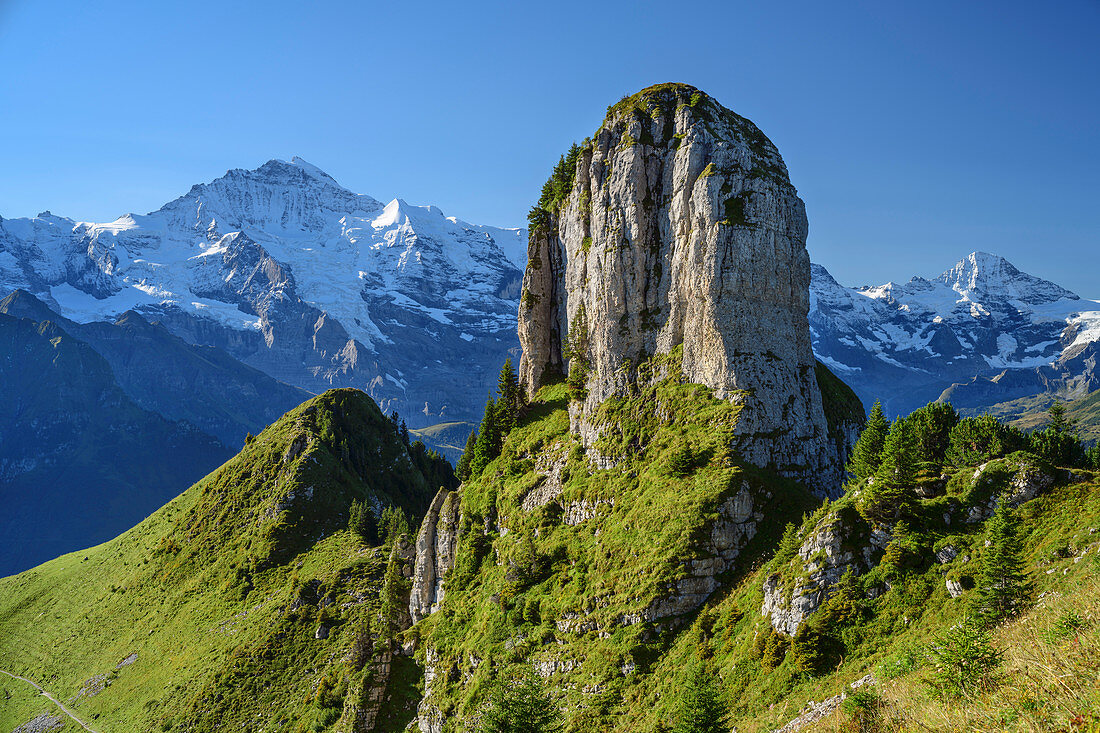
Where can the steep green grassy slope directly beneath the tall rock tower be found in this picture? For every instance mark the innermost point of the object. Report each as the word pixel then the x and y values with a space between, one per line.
pixel 577 596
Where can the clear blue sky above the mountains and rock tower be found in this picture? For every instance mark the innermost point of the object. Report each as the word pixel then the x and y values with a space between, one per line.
pixel 915 134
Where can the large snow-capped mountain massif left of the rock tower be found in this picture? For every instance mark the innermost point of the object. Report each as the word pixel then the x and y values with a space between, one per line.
pixel 301 278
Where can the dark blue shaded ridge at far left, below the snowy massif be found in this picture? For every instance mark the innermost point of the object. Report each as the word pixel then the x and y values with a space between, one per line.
pixel 102 423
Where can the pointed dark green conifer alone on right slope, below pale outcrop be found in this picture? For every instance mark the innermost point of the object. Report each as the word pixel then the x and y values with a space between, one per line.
pixel 1004 586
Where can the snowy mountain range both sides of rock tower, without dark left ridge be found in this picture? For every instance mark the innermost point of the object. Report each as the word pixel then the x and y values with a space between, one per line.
pixel 289 272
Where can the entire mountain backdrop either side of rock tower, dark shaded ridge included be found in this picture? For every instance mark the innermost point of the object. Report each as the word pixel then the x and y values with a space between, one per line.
pixel 168 337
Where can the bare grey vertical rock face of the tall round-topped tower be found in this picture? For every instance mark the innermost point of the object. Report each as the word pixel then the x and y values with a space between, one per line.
pixel 680 227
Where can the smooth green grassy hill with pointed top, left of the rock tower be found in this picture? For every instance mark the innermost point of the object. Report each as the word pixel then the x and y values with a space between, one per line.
pixel 221 593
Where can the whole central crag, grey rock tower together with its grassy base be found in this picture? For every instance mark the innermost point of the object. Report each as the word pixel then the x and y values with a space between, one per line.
pixel 673 396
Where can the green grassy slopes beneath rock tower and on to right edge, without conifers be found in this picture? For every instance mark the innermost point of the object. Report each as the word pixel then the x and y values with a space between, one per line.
pixel 540 587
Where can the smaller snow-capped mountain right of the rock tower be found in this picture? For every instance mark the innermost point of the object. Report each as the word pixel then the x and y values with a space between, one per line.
pixel 980 334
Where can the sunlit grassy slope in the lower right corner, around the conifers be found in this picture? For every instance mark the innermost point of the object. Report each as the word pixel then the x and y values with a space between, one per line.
pixel 905 610
